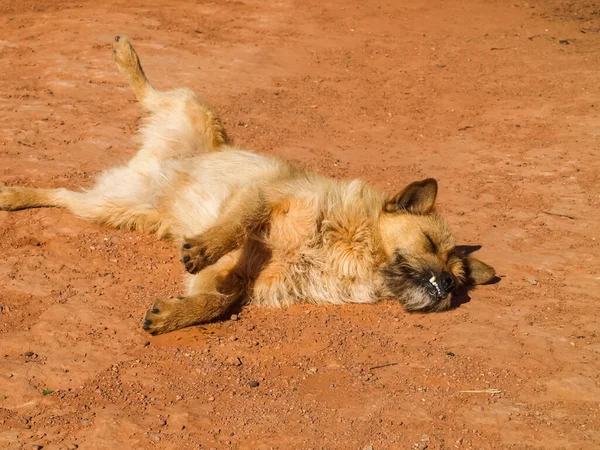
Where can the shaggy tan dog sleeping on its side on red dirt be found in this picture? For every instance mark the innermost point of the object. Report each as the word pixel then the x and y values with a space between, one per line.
pixel 257 229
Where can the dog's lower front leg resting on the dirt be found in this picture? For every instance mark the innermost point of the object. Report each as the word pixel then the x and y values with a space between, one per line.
pixel 211 294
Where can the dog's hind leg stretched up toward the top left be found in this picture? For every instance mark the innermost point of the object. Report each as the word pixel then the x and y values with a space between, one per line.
pixel 180 123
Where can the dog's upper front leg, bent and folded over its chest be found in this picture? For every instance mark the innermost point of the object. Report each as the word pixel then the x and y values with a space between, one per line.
pixel 244 211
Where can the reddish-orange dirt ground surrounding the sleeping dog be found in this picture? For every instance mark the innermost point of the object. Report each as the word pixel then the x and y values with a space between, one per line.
pixel 498 100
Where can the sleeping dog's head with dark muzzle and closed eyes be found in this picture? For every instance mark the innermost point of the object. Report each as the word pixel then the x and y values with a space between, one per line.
pixel 424 266
